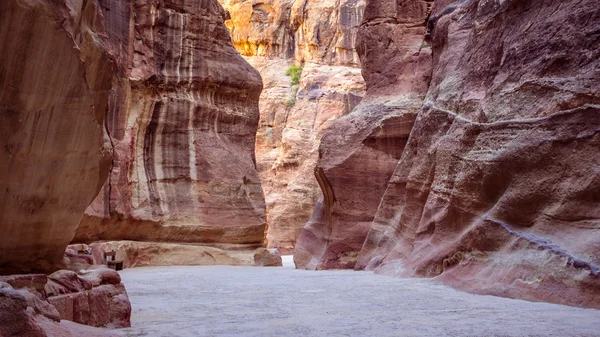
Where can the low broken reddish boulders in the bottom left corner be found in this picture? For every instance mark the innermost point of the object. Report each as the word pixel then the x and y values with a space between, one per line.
pixel 35 304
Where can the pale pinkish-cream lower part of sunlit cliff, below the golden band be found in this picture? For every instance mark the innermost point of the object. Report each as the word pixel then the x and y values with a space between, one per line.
pixel 288 138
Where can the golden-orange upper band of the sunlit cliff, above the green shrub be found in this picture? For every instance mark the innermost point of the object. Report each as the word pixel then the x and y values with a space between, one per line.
pixel 315 31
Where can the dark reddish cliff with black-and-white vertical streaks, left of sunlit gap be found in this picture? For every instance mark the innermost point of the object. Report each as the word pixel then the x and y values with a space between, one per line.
pixel 182 120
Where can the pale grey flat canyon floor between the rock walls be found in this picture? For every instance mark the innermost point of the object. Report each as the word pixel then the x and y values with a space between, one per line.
pixel 254 301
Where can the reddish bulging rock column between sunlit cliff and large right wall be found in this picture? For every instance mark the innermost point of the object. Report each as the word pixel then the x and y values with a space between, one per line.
pixel 359 152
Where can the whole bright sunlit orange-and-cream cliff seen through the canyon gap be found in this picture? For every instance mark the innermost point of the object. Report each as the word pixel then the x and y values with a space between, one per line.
pixel 273 35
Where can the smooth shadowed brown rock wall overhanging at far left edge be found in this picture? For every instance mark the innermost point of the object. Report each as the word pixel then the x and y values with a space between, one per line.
pixel 55 77
